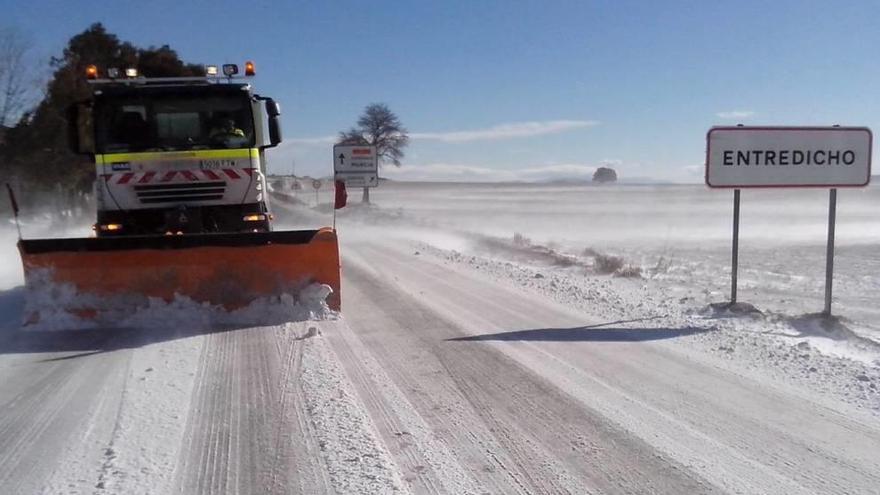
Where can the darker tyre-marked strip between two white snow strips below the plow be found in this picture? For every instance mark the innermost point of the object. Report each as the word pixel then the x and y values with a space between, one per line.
pixel 248 431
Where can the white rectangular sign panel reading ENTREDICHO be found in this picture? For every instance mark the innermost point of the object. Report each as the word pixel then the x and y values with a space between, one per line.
pixel 744 157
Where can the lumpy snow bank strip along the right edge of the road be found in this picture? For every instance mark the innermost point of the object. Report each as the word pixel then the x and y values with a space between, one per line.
pixel 746 342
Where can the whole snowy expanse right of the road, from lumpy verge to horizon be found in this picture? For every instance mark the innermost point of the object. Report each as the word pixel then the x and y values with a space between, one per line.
pixel 630 253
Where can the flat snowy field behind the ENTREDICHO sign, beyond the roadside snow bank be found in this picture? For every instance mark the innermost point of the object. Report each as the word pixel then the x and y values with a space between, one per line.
pixel 679 237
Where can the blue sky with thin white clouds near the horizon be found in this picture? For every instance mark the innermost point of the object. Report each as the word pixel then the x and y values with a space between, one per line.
pixel 514 90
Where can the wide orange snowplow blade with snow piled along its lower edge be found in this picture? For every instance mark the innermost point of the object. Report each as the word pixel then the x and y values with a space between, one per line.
pixel 259 278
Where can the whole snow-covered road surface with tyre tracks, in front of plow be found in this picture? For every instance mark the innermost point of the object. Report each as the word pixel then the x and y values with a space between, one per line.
pixel 466 386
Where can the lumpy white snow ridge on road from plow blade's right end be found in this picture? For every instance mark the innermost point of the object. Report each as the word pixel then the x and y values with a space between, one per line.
pixel 357 460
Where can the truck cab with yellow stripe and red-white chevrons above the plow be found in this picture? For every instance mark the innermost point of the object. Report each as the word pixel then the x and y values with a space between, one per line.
pixel 178 155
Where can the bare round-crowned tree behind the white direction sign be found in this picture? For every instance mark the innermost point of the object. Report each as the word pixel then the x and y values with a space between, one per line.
pixel 380 127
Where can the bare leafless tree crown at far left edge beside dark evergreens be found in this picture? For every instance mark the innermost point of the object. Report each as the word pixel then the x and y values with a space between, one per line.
pixel 17 86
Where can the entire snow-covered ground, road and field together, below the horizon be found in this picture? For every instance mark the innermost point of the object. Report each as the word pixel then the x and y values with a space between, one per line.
pixel 493 339
